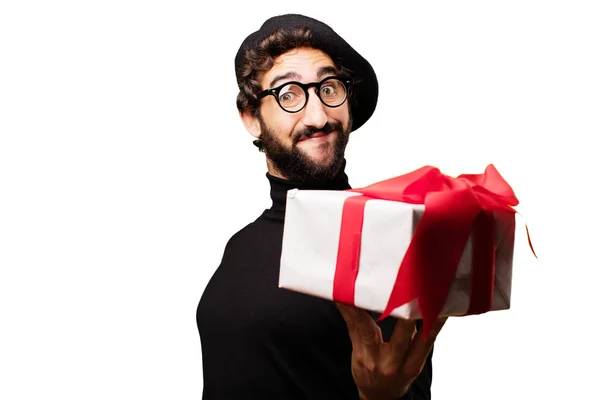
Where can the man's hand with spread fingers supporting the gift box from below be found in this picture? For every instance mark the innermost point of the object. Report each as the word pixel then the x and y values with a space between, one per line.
pixel 385 370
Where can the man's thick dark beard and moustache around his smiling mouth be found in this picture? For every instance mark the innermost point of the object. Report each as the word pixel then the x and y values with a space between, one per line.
pixel 297 166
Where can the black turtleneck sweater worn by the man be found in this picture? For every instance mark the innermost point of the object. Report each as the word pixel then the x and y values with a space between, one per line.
pixel 262 342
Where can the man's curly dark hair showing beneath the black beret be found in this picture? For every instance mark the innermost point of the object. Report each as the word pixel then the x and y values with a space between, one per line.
pixel 260 59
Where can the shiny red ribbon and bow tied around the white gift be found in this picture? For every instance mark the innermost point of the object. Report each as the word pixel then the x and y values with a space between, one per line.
pixel 455 208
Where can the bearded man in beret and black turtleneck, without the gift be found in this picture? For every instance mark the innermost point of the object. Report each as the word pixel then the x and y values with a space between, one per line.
pixel 303 89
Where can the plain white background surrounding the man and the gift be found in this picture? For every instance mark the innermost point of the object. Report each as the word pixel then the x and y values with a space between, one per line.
pixel 124 169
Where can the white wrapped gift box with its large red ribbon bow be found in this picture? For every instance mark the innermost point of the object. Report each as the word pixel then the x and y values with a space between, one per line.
pixel 418 246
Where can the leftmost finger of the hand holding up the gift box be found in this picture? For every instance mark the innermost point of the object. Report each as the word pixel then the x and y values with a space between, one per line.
pixel 363 330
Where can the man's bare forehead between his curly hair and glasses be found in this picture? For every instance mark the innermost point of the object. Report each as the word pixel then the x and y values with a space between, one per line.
pixel 305 64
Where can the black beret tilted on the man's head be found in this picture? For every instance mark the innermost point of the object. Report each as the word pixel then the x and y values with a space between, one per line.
pixel 365 90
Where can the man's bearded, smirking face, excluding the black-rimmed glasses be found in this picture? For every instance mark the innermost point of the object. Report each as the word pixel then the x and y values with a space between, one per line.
pixel 308 144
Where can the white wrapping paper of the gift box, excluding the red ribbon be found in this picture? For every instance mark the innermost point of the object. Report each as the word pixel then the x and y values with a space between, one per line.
pixel 310 247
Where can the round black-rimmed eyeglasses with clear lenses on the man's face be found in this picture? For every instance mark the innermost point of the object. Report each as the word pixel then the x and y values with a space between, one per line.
pixel 293 96
